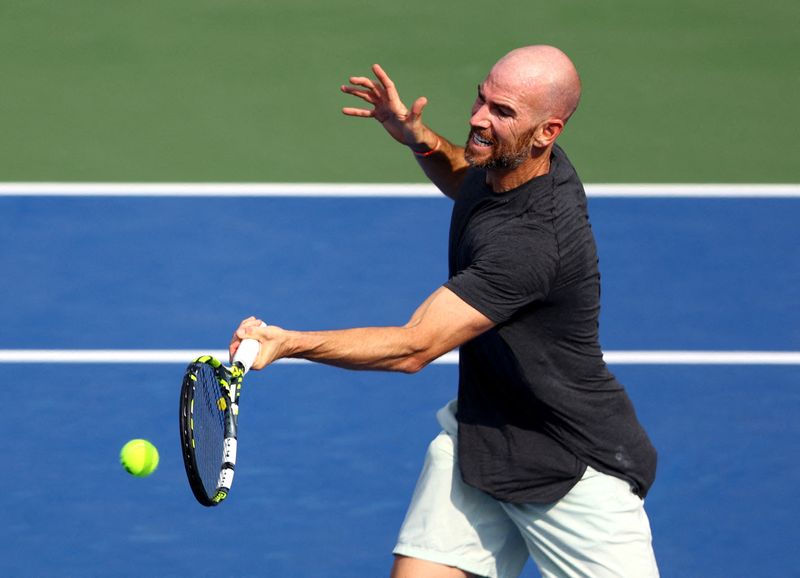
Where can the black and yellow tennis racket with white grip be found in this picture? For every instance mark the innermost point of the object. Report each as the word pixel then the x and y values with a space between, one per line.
pixel 209 415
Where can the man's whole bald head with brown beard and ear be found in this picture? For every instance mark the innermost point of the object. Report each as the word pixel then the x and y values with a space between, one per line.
pixel 522 107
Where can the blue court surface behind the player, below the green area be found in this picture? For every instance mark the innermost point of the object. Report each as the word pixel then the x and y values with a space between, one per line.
pixel 328 458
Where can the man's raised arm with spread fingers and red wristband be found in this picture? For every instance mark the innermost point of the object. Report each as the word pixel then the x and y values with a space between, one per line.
pixel 441 161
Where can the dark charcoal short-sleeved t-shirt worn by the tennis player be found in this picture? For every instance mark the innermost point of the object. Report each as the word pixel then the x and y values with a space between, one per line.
pixel 536 402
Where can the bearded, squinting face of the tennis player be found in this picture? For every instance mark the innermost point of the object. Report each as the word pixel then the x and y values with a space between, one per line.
pixel 501 132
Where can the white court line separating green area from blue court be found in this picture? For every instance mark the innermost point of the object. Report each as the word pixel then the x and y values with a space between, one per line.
pixel 367 190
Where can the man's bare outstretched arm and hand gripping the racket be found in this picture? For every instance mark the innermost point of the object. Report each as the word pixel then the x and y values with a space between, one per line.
pixel 443 322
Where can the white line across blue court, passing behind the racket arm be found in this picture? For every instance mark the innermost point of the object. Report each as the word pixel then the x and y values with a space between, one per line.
pixel 184 356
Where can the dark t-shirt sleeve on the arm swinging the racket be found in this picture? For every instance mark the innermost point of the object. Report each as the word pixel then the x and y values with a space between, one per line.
pixel 513 270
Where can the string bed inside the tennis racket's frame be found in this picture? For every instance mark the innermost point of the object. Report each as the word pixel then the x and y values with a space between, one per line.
pixel 208 428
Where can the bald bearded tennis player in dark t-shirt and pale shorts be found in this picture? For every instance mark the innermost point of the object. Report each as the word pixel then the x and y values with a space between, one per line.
pixel 542 454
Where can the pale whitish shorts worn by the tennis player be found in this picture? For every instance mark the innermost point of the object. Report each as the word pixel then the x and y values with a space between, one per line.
pixel 598 530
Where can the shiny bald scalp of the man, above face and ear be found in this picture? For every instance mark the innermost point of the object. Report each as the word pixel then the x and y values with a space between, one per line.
pixel 545 75
